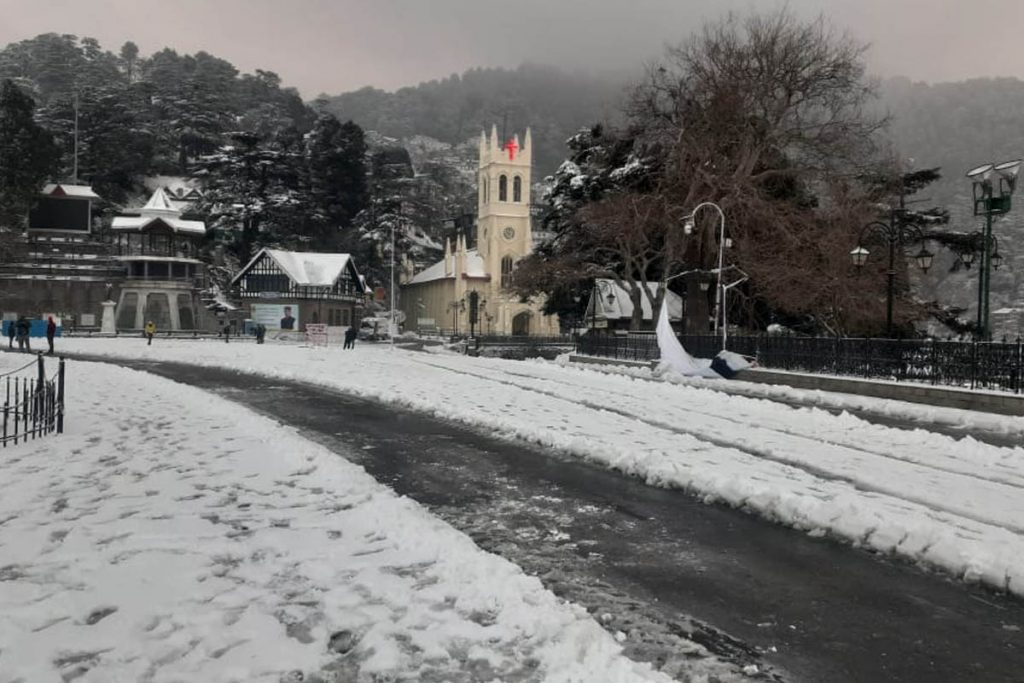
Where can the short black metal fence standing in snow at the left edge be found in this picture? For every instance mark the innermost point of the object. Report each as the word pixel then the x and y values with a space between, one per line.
pixel 34 404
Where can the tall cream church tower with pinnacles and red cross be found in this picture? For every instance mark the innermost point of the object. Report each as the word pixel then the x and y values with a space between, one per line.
pixel 503 231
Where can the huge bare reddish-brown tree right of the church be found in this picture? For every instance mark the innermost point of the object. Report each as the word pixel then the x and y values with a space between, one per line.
pixel 763 115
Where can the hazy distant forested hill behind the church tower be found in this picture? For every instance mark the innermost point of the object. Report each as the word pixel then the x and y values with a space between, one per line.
pixel 553 103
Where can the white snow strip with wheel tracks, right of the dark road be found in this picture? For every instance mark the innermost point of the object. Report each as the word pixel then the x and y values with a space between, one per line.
pixel 949 503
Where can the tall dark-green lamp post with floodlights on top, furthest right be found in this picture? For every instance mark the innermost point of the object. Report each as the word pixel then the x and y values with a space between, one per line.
pixel 989 203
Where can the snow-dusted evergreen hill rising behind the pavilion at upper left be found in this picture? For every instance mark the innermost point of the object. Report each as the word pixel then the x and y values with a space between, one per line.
pixel 144 116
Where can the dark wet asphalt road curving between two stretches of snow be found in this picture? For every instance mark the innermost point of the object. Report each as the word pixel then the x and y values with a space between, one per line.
pixel 659 565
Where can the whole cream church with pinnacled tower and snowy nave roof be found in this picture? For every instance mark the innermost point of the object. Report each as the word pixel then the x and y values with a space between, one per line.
pixel 439 298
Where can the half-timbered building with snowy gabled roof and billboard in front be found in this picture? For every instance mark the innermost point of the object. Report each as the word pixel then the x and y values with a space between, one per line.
pixel 285 290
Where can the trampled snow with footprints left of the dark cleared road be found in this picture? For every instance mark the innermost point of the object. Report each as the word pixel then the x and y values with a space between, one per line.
pixel 174 536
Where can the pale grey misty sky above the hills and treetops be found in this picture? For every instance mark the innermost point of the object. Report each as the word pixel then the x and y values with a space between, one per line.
pixel 336 46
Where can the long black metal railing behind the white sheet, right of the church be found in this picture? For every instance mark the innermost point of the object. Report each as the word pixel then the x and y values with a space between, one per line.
pixel 997 366
